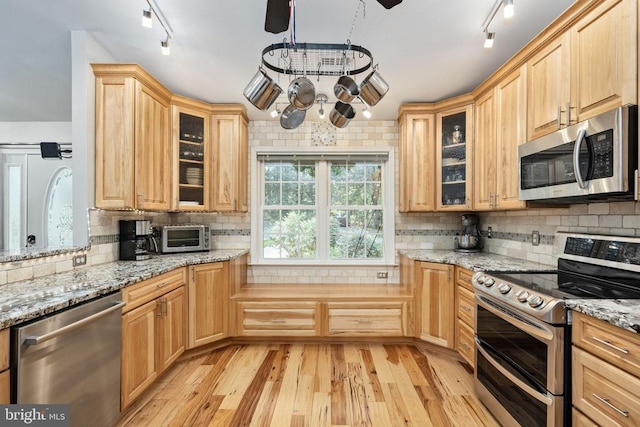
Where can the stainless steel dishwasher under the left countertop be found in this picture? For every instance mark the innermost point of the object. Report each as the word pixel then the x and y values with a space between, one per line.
pixel 72 357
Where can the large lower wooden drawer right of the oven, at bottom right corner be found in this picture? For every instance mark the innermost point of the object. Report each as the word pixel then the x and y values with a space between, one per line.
pixel 606 394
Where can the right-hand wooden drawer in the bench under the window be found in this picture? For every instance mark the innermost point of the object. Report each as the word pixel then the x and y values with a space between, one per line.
pixel 353 319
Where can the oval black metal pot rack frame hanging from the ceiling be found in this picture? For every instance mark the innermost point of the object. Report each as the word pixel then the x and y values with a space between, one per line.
pixel 317 59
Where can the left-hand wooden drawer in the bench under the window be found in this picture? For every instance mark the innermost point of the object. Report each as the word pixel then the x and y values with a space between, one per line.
pixel 278 319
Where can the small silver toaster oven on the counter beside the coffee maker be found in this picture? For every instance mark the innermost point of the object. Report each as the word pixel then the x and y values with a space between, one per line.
pixel 183 238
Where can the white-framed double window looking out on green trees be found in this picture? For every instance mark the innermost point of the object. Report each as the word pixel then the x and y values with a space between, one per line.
pixel 328 208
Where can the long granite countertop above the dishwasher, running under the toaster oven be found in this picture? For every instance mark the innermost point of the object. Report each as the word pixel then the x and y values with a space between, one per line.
pixel 29 299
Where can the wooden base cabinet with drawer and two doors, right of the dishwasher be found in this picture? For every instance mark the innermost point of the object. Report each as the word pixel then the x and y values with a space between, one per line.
pixel 153 331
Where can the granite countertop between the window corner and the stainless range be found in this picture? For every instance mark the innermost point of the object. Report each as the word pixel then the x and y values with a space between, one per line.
pixel 476 261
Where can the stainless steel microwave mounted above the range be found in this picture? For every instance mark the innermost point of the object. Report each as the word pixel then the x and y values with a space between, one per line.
pixel 594 160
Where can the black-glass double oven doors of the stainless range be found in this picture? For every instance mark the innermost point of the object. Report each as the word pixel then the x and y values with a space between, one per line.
pixel 520 364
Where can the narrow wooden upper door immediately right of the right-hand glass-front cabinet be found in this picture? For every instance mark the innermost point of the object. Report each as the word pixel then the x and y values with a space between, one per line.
pixel 484 188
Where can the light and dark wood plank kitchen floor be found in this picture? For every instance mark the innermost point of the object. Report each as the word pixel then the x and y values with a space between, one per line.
pixel 313 385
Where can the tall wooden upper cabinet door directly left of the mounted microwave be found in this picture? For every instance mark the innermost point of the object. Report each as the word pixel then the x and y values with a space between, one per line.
pixel 511 111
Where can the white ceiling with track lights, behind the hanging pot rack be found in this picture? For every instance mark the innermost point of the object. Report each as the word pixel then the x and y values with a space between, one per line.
pixel 426 50
